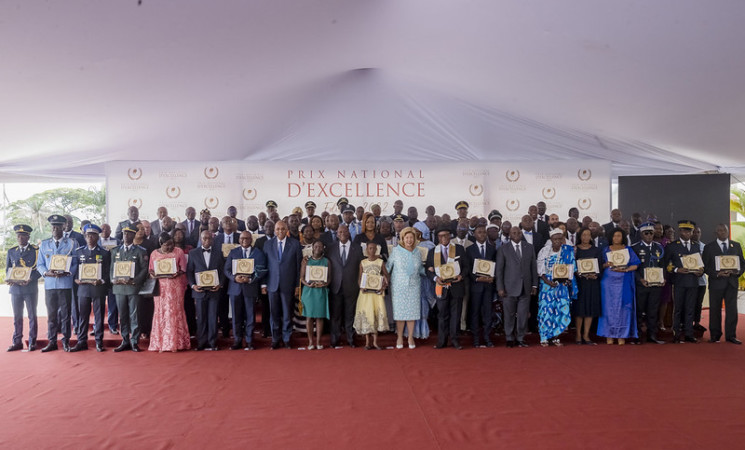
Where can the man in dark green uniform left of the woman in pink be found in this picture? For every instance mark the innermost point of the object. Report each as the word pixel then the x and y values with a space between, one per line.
pixel 129 268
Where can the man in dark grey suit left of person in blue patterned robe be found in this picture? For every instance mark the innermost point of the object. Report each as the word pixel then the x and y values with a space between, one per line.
pixel 517 280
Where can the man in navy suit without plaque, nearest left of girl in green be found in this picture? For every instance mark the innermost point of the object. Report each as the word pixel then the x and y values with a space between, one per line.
pixel 283 256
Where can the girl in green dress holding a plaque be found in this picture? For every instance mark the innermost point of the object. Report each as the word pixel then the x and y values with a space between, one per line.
pixel 315 295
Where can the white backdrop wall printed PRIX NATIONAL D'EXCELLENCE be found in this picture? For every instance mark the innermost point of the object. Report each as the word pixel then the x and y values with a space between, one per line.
pixel 247 185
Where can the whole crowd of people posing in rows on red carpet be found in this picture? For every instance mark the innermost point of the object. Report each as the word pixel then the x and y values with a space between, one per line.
pixel 365 274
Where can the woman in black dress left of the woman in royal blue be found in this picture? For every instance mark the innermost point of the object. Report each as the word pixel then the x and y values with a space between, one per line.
pixel 587 305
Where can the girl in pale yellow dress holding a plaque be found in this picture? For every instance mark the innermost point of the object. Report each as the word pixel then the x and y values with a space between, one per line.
pixel 370 316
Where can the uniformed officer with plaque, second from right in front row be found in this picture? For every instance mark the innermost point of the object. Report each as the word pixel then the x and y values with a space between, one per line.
pixel 685 282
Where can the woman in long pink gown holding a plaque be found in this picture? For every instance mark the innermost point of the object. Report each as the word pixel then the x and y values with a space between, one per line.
pixel 170 332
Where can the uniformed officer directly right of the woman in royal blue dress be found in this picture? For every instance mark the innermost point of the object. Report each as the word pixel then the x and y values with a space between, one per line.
pixel 651 254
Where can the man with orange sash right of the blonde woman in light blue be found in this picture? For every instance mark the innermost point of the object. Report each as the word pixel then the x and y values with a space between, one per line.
pixel 449 292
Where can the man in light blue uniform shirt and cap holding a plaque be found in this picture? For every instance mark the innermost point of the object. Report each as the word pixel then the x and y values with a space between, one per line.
pixel 56 265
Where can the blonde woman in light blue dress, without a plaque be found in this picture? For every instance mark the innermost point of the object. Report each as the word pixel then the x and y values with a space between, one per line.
pixel 405 267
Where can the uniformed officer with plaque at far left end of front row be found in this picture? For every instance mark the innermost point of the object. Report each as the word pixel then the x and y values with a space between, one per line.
pixel 23 292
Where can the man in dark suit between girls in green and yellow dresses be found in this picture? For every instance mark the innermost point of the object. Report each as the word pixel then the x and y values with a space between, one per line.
pixel 344 288
